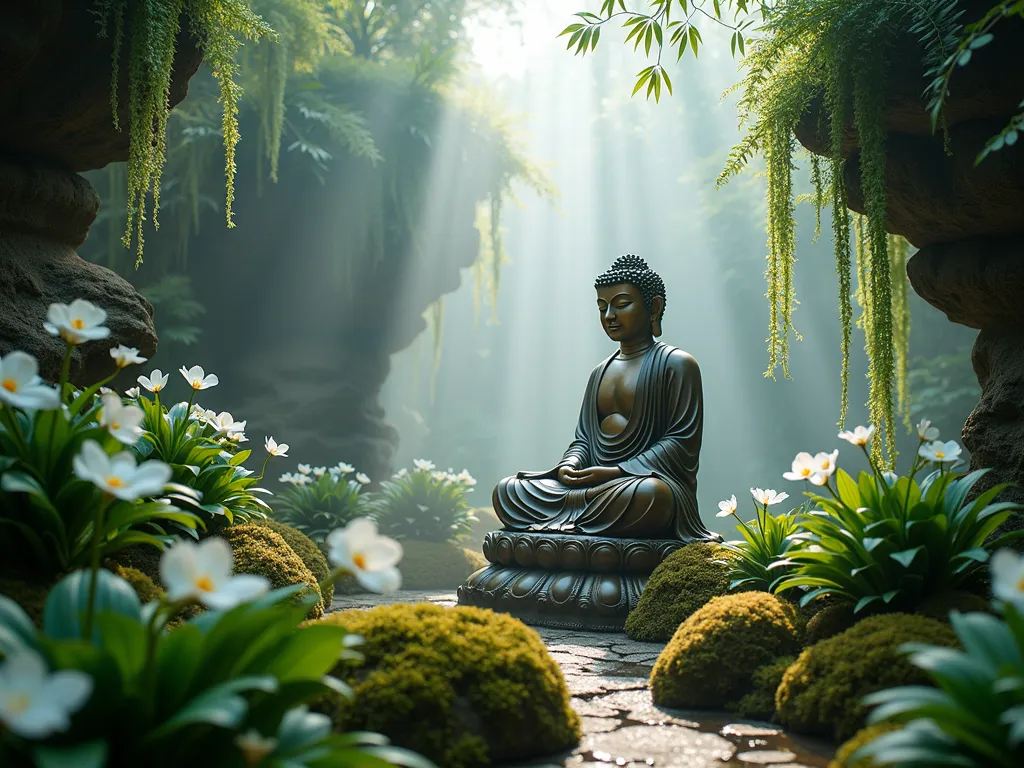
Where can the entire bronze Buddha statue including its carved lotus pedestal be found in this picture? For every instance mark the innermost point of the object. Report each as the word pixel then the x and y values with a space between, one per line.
pixel 581 539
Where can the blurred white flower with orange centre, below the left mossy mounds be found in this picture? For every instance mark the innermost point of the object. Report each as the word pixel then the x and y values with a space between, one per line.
pixel 203 573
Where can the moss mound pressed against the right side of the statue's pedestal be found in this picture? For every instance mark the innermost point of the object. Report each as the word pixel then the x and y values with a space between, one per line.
pixel 685 582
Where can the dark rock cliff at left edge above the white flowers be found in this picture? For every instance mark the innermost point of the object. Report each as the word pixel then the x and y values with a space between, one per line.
pixel 56 120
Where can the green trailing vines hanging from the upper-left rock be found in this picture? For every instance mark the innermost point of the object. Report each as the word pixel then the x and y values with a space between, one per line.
pixel 153 27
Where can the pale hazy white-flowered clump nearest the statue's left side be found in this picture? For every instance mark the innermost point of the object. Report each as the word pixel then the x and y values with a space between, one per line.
pixel 424 505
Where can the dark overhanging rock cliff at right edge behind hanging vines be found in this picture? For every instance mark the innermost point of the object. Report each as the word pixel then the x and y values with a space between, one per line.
pixel 968 222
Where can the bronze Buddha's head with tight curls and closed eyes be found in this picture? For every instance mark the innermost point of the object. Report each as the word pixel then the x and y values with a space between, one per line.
pixel 631 301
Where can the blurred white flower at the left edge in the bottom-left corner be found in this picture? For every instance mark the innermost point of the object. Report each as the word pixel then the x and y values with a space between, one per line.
pixel 35 704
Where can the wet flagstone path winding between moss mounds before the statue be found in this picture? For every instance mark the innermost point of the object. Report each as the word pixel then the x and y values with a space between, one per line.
pixel 608 675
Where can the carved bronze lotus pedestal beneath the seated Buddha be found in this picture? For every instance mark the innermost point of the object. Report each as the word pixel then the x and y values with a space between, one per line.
pixel 563 581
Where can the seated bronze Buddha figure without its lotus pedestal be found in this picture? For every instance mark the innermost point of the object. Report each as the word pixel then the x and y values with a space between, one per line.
pixel 632 470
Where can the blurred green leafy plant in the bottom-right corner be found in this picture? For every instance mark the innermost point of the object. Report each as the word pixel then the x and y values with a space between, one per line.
pixel 974 715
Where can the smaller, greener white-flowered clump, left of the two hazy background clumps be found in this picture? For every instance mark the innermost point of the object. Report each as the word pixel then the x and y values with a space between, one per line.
pixel 317 503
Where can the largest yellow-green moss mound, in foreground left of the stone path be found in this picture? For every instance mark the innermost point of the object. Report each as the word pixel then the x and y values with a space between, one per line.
pixel 462 687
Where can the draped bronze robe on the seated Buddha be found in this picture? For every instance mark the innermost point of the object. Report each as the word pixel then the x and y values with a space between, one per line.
pixel 661 443
